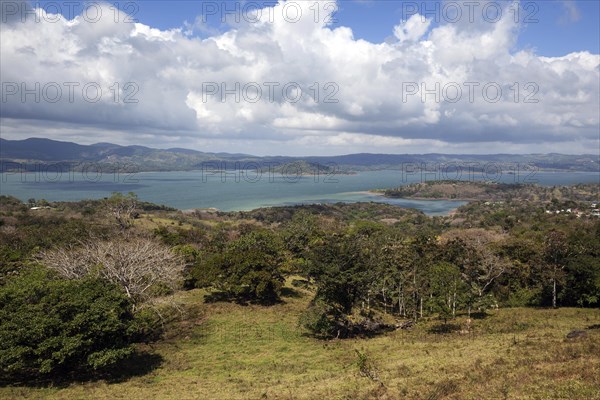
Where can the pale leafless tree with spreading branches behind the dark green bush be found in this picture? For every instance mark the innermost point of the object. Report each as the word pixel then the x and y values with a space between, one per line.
pixel 135 264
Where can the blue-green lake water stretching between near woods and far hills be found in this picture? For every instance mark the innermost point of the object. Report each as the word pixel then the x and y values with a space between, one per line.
pixel 232 191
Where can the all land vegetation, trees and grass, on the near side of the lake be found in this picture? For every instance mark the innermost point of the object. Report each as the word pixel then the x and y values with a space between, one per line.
pixel 87 285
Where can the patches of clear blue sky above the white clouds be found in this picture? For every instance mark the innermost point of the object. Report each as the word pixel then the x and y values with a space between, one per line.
pixel 562 26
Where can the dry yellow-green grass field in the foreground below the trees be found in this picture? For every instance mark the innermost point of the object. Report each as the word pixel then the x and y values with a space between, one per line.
pixel 228 351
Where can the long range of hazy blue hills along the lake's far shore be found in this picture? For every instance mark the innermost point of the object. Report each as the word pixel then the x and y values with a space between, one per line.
pixel 38 150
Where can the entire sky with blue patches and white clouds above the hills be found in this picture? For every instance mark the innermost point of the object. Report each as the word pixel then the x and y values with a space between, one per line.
pixel 310 77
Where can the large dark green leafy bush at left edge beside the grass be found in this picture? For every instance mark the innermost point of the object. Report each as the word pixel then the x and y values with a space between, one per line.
pixel 49 325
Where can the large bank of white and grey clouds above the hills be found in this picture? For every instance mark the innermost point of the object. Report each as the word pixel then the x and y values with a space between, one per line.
pixel 169 72
